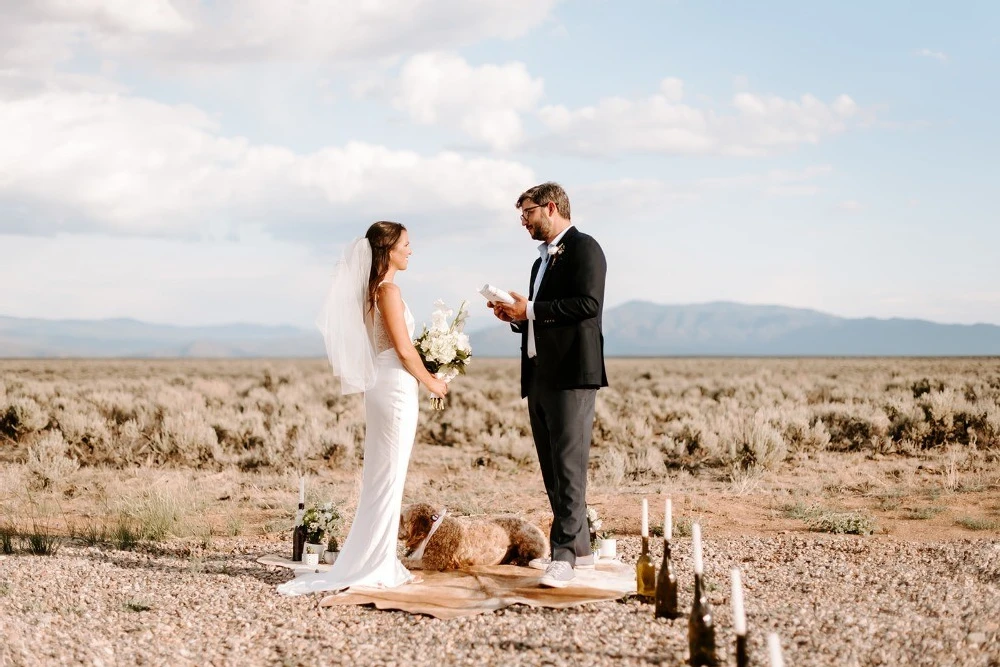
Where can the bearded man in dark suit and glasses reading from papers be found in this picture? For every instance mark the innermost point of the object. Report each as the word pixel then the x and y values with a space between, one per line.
pixel 562 366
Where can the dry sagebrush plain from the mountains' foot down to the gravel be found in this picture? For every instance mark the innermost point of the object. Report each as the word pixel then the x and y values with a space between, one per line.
pixel 130 452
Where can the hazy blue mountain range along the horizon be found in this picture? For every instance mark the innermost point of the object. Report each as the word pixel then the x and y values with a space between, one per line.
pixel 636 328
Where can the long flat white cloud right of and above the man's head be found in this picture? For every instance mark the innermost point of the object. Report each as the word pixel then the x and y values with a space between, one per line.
pixel 754 125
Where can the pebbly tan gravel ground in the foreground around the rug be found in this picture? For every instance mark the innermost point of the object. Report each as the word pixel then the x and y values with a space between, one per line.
pixel 833 600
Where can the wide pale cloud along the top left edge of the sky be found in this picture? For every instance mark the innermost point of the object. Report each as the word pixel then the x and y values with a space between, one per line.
pixel 229 32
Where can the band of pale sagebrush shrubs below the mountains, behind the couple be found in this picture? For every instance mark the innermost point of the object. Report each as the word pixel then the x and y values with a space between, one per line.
pixel 267 415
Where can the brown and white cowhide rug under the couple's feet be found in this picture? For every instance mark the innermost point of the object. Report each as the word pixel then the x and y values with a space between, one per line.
pixel 477 590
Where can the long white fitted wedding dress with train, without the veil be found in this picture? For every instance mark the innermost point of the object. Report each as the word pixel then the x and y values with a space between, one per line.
pixel 368 556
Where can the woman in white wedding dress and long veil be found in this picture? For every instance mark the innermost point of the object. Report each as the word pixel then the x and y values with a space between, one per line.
pixel 368 331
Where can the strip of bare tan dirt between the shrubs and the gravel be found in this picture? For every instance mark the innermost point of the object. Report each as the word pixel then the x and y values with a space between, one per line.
pixel 908 498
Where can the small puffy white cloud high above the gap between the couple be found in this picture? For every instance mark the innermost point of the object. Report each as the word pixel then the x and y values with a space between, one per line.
pixel 486 102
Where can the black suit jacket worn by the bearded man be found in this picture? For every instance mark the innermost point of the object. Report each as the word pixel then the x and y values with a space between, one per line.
pixel 569 307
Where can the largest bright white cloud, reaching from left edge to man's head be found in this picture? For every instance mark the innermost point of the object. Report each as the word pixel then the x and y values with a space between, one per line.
pixel 131 165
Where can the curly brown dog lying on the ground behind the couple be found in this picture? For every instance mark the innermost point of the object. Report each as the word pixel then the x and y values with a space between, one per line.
pixel 465 542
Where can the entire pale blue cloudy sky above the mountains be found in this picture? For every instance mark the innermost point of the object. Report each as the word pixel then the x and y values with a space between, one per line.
pixel 187 162
